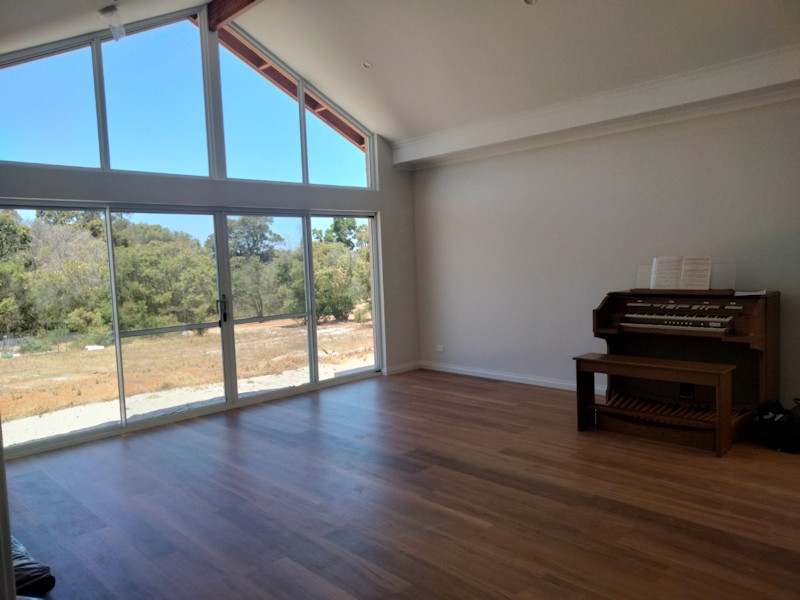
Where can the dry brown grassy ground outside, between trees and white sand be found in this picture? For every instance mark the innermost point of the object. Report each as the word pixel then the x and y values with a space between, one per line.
pixel 35 384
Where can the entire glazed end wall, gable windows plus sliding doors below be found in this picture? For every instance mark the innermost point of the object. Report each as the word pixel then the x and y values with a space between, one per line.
pixel 111 314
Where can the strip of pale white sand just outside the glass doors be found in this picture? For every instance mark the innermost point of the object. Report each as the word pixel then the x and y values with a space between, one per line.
pixel 152 404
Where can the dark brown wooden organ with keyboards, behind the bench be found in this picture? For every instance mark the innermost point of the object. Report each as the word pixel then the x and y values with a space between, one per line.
pixel 660 327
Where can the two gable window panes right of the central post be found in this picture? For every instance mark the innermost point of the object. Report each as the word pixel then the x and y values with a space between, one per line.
pixel 262 123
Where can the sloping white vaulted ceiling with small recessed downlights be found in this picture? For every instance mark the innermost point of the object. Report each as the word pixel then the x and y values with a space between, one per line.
pixel 445 64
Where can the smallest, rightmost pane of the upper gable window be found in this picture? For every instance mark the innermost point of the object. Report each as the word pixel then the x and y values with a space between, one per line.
pixel 335 157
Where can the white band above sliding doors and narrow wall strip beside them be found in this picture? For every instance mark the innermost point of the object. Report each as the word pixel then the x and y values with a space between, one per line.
pixel 392 201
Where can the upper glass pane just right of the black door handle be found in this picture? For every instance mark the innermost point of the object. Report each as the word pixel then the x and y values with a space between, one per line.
pixel 267 272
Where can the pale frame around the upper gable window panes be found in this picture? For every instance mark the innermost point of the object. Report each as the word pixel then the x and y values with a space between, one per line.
pixel 212 86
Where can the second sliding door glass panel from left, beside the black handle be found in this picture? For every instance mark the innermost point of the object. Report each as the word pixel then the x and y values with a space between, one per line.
pixel 167 290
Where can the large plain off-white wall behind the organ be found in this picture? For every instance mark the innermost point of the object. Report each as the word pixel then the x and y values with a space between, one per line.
pixel 514 252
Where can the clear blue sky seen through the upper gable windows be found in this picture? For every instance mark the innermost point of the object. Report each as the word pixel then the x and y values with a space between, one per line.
pixel 156 114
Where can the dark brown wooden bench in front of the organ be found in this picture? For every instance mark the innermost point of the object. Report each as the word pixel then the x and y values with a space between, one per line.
pixel 716 426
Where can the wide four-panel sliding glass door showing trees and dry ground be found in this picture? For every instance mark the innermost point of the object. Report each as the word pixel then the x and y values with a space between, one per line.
pixel 110 316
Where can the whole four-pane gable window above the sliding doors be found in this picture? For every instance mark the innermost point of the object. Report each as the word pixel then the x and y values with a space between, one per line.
pixel 156 102
